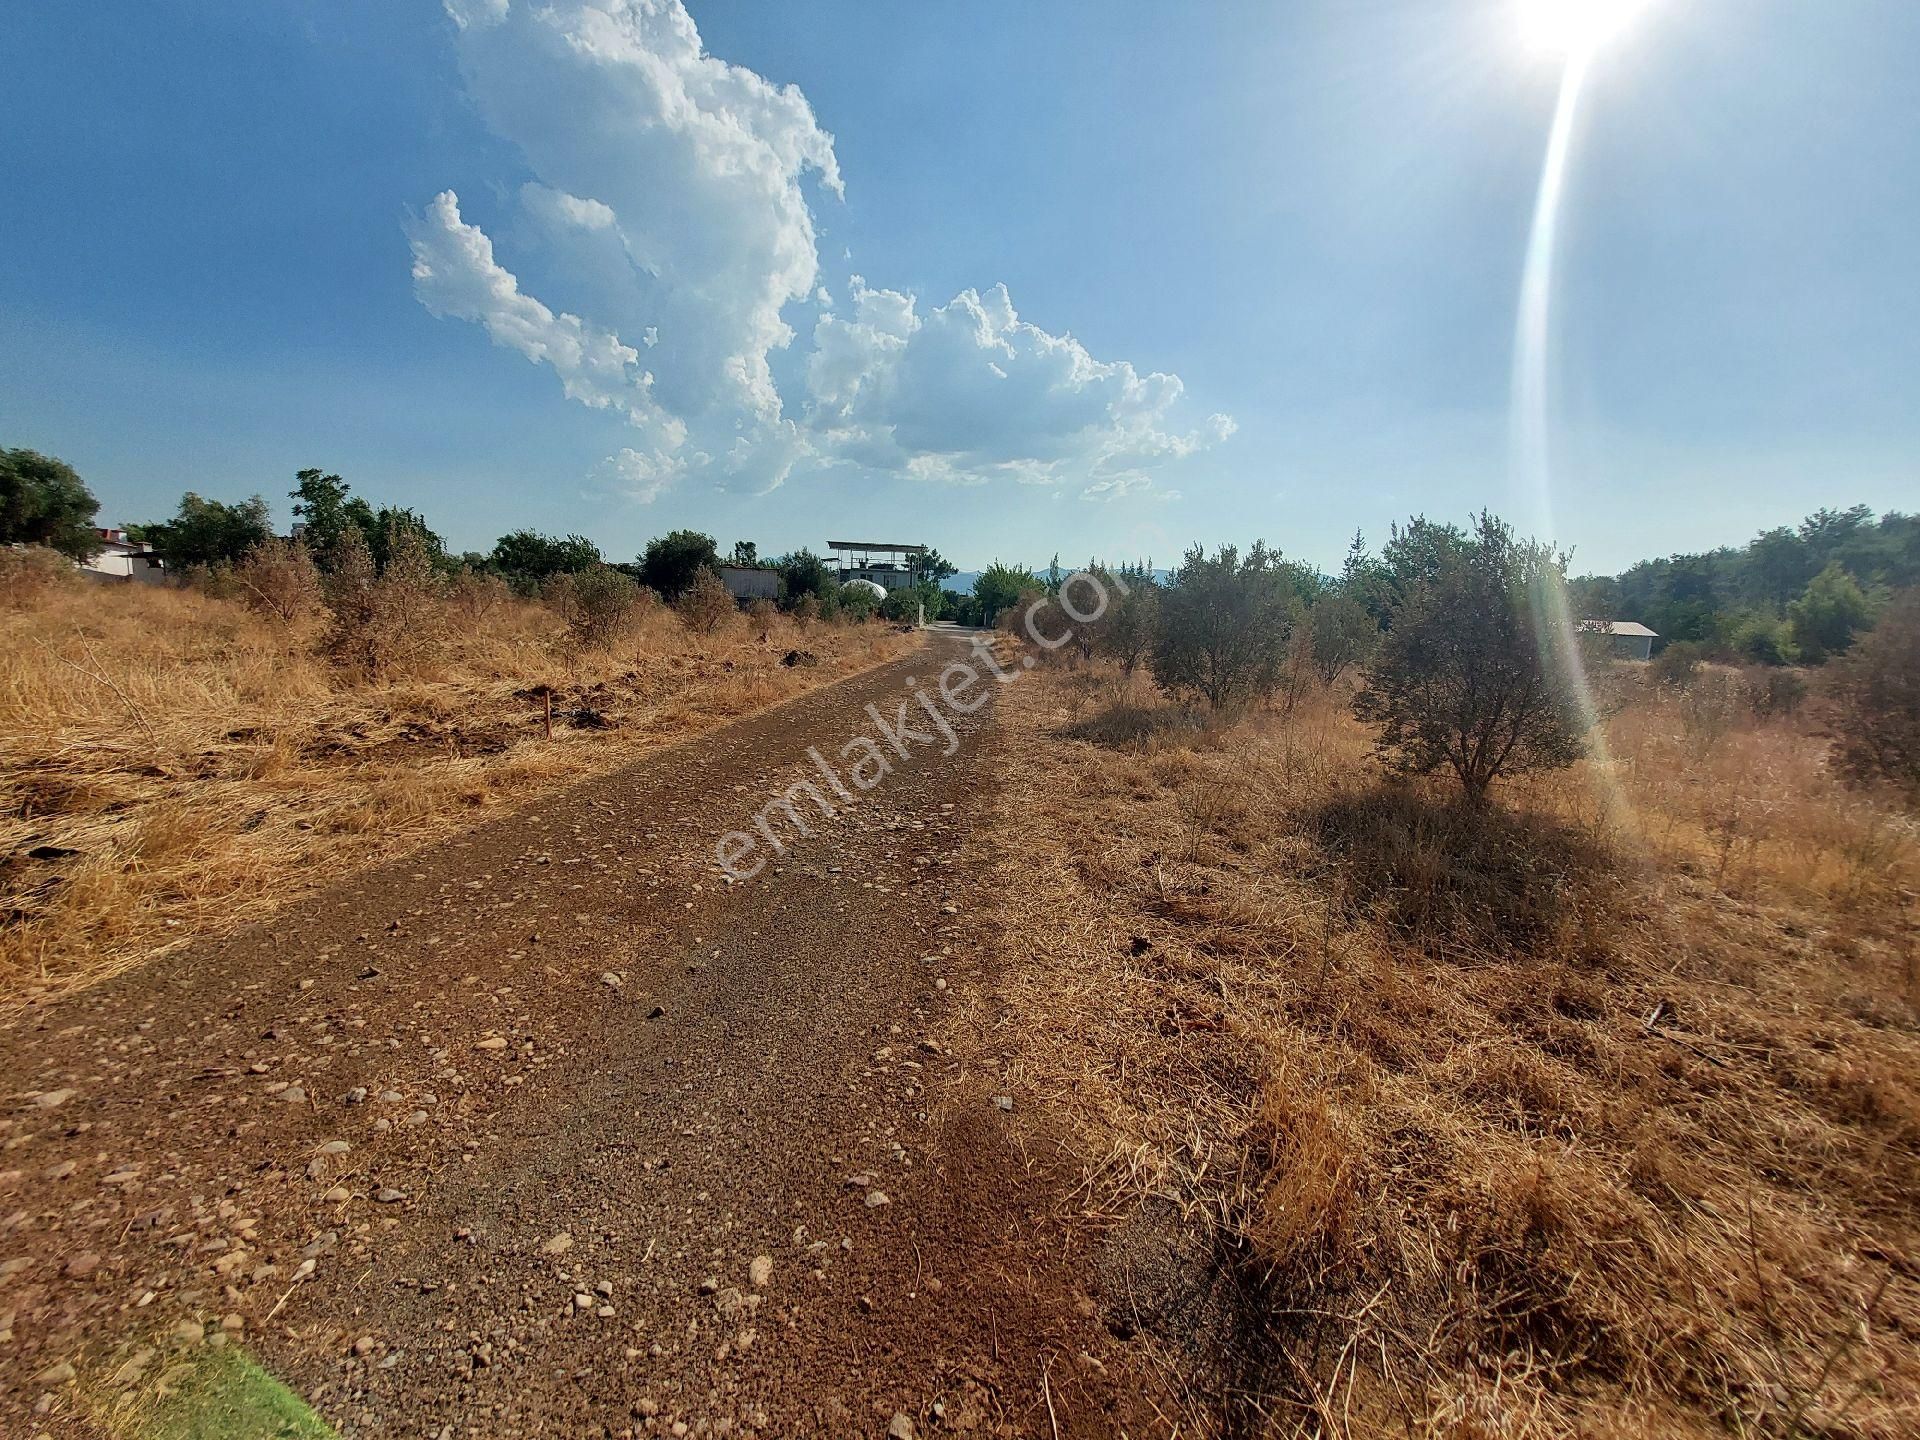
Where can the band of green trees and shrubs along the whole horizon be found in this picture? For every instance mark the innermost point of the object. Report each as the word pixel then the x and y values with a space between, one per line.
pixel 1458 635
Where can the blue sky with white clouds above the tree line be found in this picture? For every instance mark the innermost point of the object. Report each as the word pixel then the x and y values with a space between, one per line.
pixel 243 239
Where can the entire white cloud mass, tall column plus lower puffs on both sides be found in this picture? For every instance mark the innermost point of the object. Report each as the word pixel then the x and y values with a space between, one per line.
pixel 671 204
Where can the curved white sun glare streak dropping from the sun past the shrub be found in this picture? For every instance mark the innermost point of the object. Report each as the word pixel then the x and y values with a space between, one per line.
pixel 1533 464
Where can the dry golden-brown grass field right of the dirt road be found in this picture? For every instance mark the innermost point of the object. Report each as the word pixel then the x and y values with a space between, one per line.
pixel 1374 1076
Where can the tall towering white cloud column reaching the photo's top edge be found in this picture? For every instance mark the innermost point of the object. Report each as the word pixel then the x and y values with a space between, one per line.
pixel 696 164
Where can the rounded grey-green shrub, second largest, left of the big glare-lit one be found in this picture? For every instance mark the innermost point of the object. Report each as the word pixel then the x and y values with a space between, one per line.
pixel 1224 627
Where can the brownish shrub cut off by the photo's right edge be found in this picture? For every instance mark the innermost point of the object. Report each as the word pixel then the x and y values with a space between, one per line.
pixel 1877 702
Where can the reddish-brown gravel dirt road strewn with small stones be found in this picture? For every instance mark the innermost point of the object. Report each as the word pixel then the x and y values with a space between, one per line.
pixel 552 1132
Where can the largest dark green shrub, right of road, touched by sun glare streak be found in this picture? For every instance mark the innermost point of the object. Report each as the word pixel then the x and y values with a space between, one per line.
pixel 1470 677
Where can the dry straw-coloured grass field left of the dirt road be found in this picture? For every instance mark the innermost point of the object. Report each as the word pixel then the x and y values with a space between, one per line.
pixel 203 765
